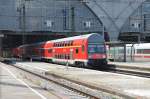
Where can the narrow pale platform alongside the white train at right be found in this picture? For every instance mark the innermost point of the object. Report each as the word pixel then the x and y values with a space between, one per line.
pixel 140 66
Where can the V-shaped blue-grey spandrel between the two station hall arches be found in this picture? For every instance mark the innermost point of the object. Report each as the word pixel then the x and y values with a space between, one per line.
pixel 113 13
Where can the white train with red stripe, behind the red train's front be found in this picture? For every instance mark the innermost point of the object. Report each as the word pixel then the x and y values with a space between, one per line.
pixel 132 52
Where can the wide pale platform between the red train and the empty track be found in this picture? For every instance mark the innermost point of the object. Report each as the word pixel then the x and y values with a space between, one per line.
pixel 133 86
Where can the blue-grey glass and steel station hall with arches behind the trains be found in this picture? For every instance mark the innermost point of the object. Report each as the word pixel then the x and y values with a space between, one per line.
pixel 30 21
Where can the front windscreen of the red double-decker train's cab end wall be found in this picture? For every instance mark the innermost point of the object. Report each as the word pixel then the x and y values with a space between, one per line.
pixel 96 48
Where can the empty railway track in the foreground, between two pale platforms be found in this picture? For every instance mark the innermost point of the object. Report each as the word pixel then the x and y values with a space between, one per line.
pixel 74 90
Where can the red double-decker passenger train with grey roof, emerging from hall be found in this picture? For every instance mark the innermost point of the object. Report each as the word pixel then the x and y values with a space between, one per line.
pixel 84 50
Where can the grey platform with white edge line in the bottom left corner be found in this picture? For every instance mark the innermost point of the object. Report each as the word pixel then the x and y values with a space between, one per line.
pixel 13 87
